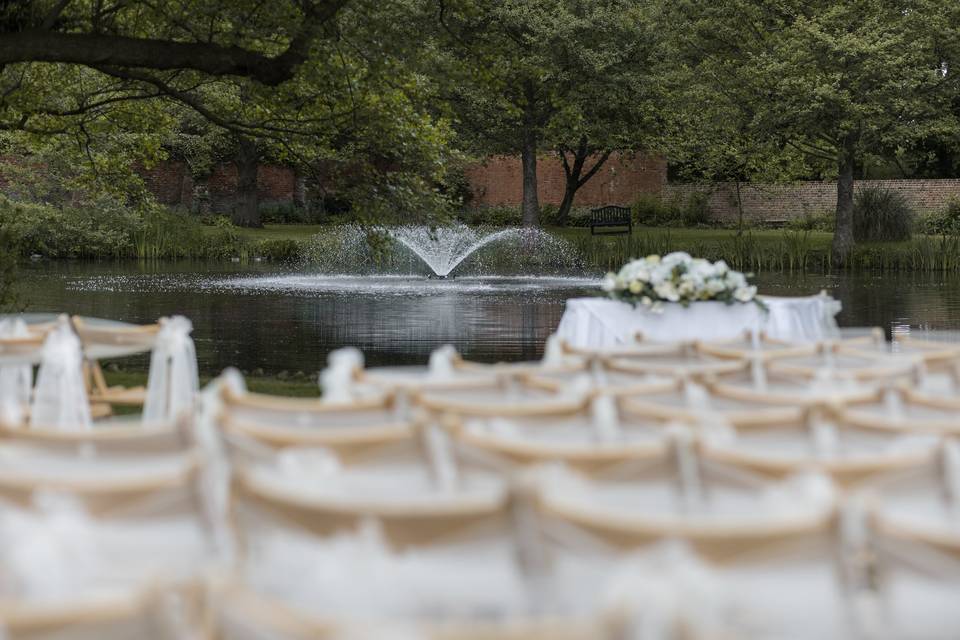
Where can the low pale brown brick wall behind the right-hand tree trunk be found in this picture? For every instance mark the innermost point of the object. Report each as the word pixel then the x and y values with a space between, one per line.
pixel 767 201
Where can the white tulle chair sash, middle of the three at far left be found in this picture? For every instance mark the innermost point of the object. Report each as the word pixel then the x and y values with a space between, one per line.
pixel 60 398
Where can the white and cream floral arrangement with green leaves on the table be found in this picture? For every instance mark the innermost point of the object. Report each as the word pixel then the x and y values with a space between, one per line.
pixel 676 277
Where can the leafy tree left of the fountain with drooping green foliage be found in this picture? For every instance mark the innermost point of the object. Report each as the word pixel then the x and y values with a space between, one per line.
pixel 340 110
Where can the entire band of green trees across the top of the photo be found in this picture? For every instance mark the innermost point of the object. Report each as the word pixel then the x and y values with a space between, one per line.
pixel 394 95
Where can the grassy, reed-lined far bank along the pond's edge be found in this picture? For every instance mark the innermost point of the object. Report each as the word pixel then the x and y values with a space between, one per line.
pixel 174 236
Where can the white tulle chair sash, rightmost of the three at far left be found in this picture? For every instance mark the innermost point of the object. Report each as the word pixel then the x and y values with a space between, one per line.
pixel 173 382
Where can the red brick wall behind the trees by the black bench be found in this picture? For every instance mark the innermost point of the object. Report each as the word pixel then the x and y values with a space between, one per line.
pixel 499 180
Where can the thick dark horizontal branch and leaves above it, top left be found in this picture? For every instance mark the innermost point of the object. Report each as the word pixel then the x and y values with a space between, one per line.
pixel 265 41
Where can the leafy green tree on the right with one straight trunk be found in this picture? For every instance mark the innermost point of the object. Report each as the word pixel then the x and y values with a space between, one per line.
pixel 831 80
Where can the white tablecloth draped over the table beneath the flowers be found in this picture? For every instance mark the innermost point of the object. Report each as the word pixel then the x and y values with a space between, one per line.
pixel 599 322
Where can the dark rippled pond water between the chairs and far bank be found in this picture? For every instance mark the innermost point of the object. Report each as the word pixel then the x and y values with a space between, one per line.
pixel 274 319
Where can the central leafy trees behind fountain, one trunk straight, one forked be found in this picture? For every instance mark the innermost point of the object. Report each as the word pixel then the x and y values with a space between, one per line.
pixel 521 77
